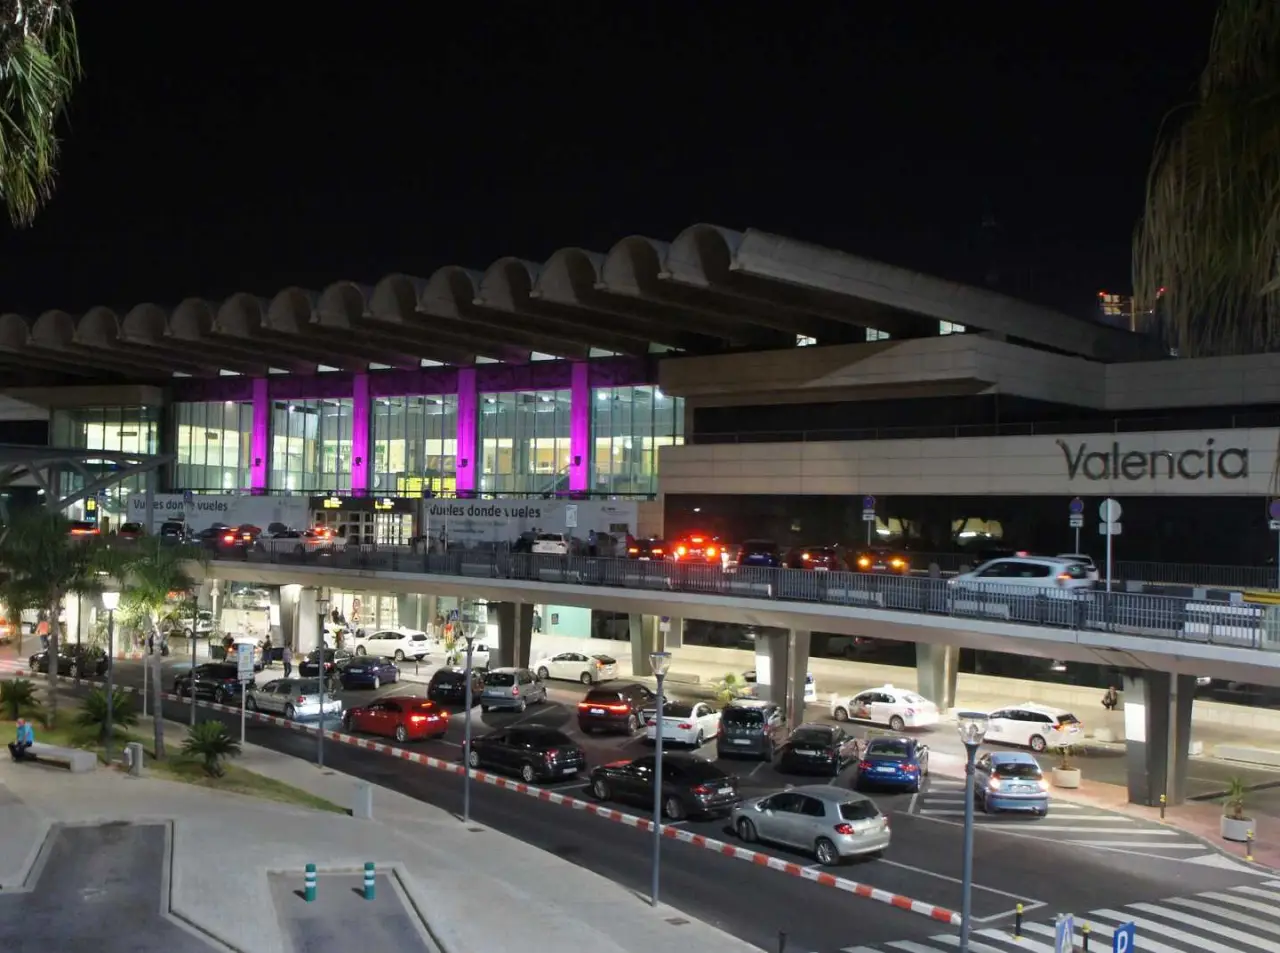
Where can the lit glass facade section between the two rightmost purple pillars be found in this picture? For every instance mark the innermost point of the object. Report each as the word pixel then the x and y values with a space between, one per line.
pixel 524 442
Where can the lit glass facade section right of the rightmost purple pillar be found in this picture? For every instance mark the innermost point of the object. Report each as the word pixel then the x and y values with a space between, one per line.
pixel 628 428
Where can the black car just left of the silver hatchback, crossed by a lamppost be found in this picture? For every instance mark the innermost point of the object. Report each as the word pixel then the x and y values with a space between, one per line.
pixel 691 785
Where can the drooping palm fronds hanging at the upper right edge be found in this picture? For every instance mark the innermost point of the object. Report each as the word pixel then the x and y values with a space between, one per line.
pixel 1208 250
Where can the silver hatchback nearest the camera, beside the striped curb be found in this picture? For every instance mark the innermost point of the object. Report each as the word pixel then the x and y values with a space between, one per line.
pixel 821 819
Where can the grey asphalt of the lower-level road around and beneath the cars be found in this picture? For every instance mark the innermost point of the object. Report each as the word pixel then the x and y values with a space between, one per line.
pixel 1069 862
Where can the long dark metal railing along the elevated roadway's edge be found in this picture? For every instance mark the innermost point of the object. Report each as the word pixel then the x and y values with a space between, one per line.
pixel 1086 610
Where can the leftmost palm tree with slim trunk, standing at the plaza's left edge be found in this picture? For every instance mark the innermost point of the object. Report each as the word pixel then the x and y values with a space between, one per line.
pixel 44 565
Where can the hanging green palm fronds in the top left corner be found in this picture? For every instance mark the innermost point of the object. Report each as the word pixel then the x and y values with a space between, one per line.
pixel 39 67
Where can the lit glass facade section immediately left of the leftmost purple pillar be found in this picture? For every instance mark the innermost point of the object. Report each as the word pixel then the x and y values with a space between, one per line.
pixel 213 442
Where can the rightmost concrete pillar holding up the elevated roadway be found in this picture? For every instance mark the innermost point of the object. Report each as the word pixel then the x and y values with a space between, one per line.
pixel 1158 727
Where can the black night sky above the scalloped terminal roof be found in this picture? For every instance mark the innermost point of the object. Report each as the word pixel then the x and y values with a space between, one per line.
pixel 212 152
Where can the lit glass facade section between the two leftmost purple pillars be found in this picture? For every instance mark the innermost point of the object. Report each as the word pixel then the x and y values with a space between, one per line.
pixel 312 446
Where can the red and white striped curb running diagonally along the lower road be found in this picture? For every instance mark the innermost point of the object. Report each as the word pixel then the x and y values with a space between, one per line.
pixel 685 837
